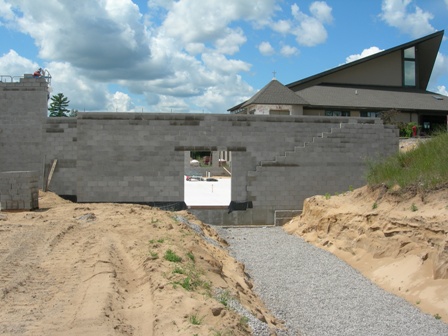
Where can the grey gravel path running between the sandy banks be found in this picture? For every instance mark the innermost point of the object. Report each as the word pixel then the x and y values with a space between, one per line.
pixel 318 294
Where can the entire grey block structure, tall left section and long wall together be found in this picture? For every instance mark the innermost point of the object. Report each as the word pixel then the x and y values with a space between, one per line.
pixel 277 161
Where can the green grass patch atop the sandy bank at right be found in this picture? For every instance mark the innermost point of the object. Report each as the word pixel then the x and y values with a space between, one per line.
pixel 424 168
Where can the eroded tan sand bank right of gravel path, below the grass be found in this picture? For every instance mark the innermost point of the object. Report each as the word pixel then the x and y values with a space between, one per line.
pixel 397 239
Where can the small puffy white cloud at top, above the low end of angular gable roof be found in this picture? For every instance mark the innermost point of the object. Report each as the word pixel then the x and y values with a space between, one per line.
pixel 310 30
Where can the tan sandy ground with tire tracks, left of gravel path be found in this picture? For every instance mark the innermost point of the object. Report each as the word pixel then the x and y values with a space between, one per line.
pixel 100 269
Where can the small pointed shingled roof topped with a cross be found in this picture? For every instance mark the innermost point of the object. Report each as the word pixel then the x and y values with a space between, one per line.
pixel 275 93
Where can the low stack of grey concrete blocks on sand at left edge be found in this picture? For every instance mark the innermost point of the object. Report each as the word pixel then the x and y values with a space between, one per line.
pixel 19 190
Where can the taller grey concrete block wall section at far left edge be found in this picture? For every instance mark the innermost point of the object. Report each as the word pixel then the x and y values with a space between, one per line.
pixel 22 114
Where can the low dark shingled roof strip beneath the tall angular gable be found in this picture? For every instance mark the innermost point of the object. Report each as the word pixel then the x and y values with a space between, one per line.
pixel 371 97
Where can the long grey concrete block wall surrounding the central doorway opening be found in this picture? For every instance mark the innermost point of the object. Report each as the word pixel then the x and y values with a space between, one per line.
pixel 141 157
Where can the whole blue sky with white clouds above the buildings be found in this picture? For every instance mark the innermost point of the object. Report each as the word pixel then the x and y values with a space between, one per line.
pixel 201 55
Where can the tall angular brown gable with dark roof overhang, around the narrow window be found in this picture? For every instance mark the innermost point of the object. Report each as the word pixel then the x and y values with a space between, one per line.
pixel 377 69
